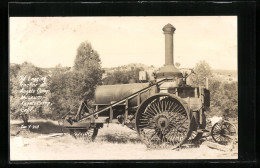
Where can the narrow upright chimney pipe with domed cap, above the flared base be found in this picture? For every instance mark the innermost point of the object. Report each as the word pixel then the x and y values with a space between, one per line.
pixel 168 32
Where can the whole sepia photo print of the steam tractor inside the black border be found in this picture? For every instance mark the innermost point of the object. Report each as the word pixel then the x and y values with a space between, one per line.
pixel 123 88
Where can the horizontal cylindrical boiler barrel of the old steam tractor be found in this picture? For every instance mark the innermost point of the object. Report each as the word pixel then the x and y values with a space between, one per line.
pixel 107 94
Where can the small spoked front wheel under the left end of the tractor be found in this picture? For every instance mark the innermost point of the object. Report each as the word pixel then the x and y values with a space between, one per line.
pixel 84 134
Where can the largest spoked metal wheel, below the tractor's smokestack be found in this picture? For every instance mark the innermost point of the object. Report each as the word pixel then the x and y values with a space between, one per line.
pixel 163 120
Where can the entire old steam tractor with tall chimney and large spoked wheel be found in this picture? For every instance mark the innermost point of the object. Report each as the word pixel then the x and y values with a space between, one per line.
pixel 163 111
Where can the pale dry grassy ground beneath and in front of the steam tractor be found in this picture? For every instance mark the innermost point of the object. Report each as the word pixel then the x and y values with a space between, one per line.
pixel 114 142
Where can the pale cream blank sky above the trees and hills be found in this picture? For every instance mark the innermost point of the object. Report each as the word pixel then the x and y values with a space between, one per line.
pixel 49 41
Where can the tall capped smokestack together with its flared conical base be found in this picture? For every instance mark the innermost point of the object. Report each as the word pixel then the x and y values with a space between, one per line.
pixel 169 70
